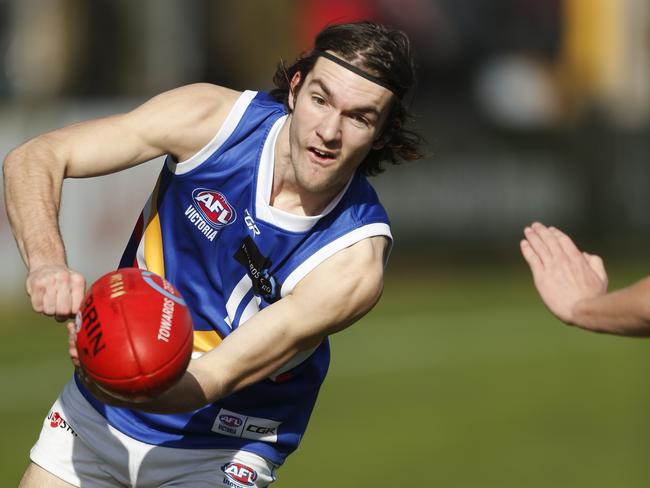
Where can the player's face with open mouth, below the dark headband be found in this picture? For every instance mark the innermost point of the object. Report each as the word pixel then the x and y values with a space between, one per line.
pixel 336 120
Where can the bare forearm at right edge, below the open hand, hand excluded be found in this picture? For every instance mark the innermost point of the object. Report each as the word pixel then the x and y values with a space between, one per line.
pixel 623 312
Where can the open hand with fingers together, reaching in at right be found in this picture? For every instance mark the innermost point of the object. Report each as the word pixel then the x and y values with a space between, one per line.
pixel 563 275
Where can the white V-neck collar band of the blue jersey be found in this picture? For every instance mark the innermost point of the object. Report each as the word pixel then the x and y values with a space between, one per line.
pixel 263 209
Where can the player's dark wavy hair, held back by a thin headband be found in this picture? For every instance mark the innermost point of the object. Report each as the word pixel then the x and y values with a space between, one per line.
pixel 382 52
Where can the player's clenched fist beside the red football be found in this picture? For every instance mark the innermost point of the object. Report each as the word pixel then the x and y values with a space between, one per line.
pixel 55 290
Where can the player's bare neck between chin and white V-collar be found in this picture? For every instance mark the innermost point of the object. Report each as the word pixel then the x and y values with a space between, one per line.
pixel 287 193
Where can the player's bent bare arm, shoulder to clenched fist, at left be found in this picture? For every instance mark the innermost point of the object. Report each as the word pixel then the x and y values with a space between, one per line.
pixel 178 122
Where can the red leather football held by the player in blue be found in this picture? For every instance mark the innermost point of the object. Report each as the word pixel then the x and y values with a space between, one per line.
pixel 134 334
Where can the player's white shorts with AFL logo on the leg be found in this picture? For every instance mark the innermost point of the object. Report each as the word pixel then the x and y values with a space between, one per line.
pixel 78 446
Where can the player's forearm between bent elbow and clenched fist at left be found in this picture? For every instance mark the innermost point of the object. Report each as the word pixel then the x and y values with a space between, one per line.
pixel 33 180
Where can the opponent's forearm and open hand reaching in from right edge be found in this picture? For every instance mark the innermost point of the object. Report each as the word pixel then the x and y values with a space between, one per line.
pixel 573 285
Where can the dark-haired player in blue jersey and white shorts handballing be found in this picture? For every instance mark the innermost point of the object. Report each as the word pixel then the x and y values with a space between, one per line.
pixel 263 219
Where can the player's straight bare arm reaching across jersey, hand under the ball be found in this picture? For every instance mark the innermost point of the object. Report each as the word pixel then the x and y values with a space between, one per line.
pixel 334 295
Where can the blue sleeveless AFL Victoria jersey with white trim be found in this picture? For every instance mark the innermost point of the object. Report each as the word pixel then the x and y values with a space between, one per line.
pixel 209 229
